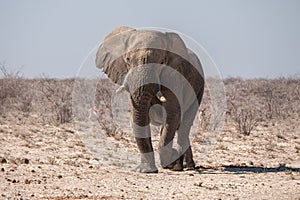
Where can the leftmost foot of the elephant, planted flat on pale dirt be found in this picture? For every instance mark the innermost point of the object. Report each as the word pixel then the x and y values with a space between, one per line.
pixel 147 164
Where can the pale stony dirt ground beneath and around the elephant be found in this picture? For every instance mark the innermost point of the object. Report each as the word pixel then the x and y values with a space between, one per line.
pixel 41 161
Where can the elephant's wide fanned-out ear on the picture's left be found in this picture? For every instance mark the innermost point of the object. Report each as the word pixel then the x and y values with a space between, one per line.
pixel 110 54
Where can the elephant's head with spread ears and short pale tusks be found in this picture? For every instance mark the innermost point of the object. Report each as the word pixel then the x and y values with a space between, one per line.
pixel 132 57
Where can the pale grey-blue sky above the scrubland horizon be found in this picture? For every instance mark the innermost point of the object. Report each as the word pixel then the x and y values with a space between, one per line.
pixel 247 39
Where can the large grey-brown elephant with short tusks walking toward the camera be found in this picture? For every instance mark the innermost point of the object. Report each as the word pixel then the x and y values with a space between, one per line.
pixel 165 81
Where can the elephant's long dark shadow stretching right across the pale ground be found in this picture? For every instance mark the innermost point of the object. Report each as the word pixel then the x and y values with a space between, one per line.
pixel 236 169
